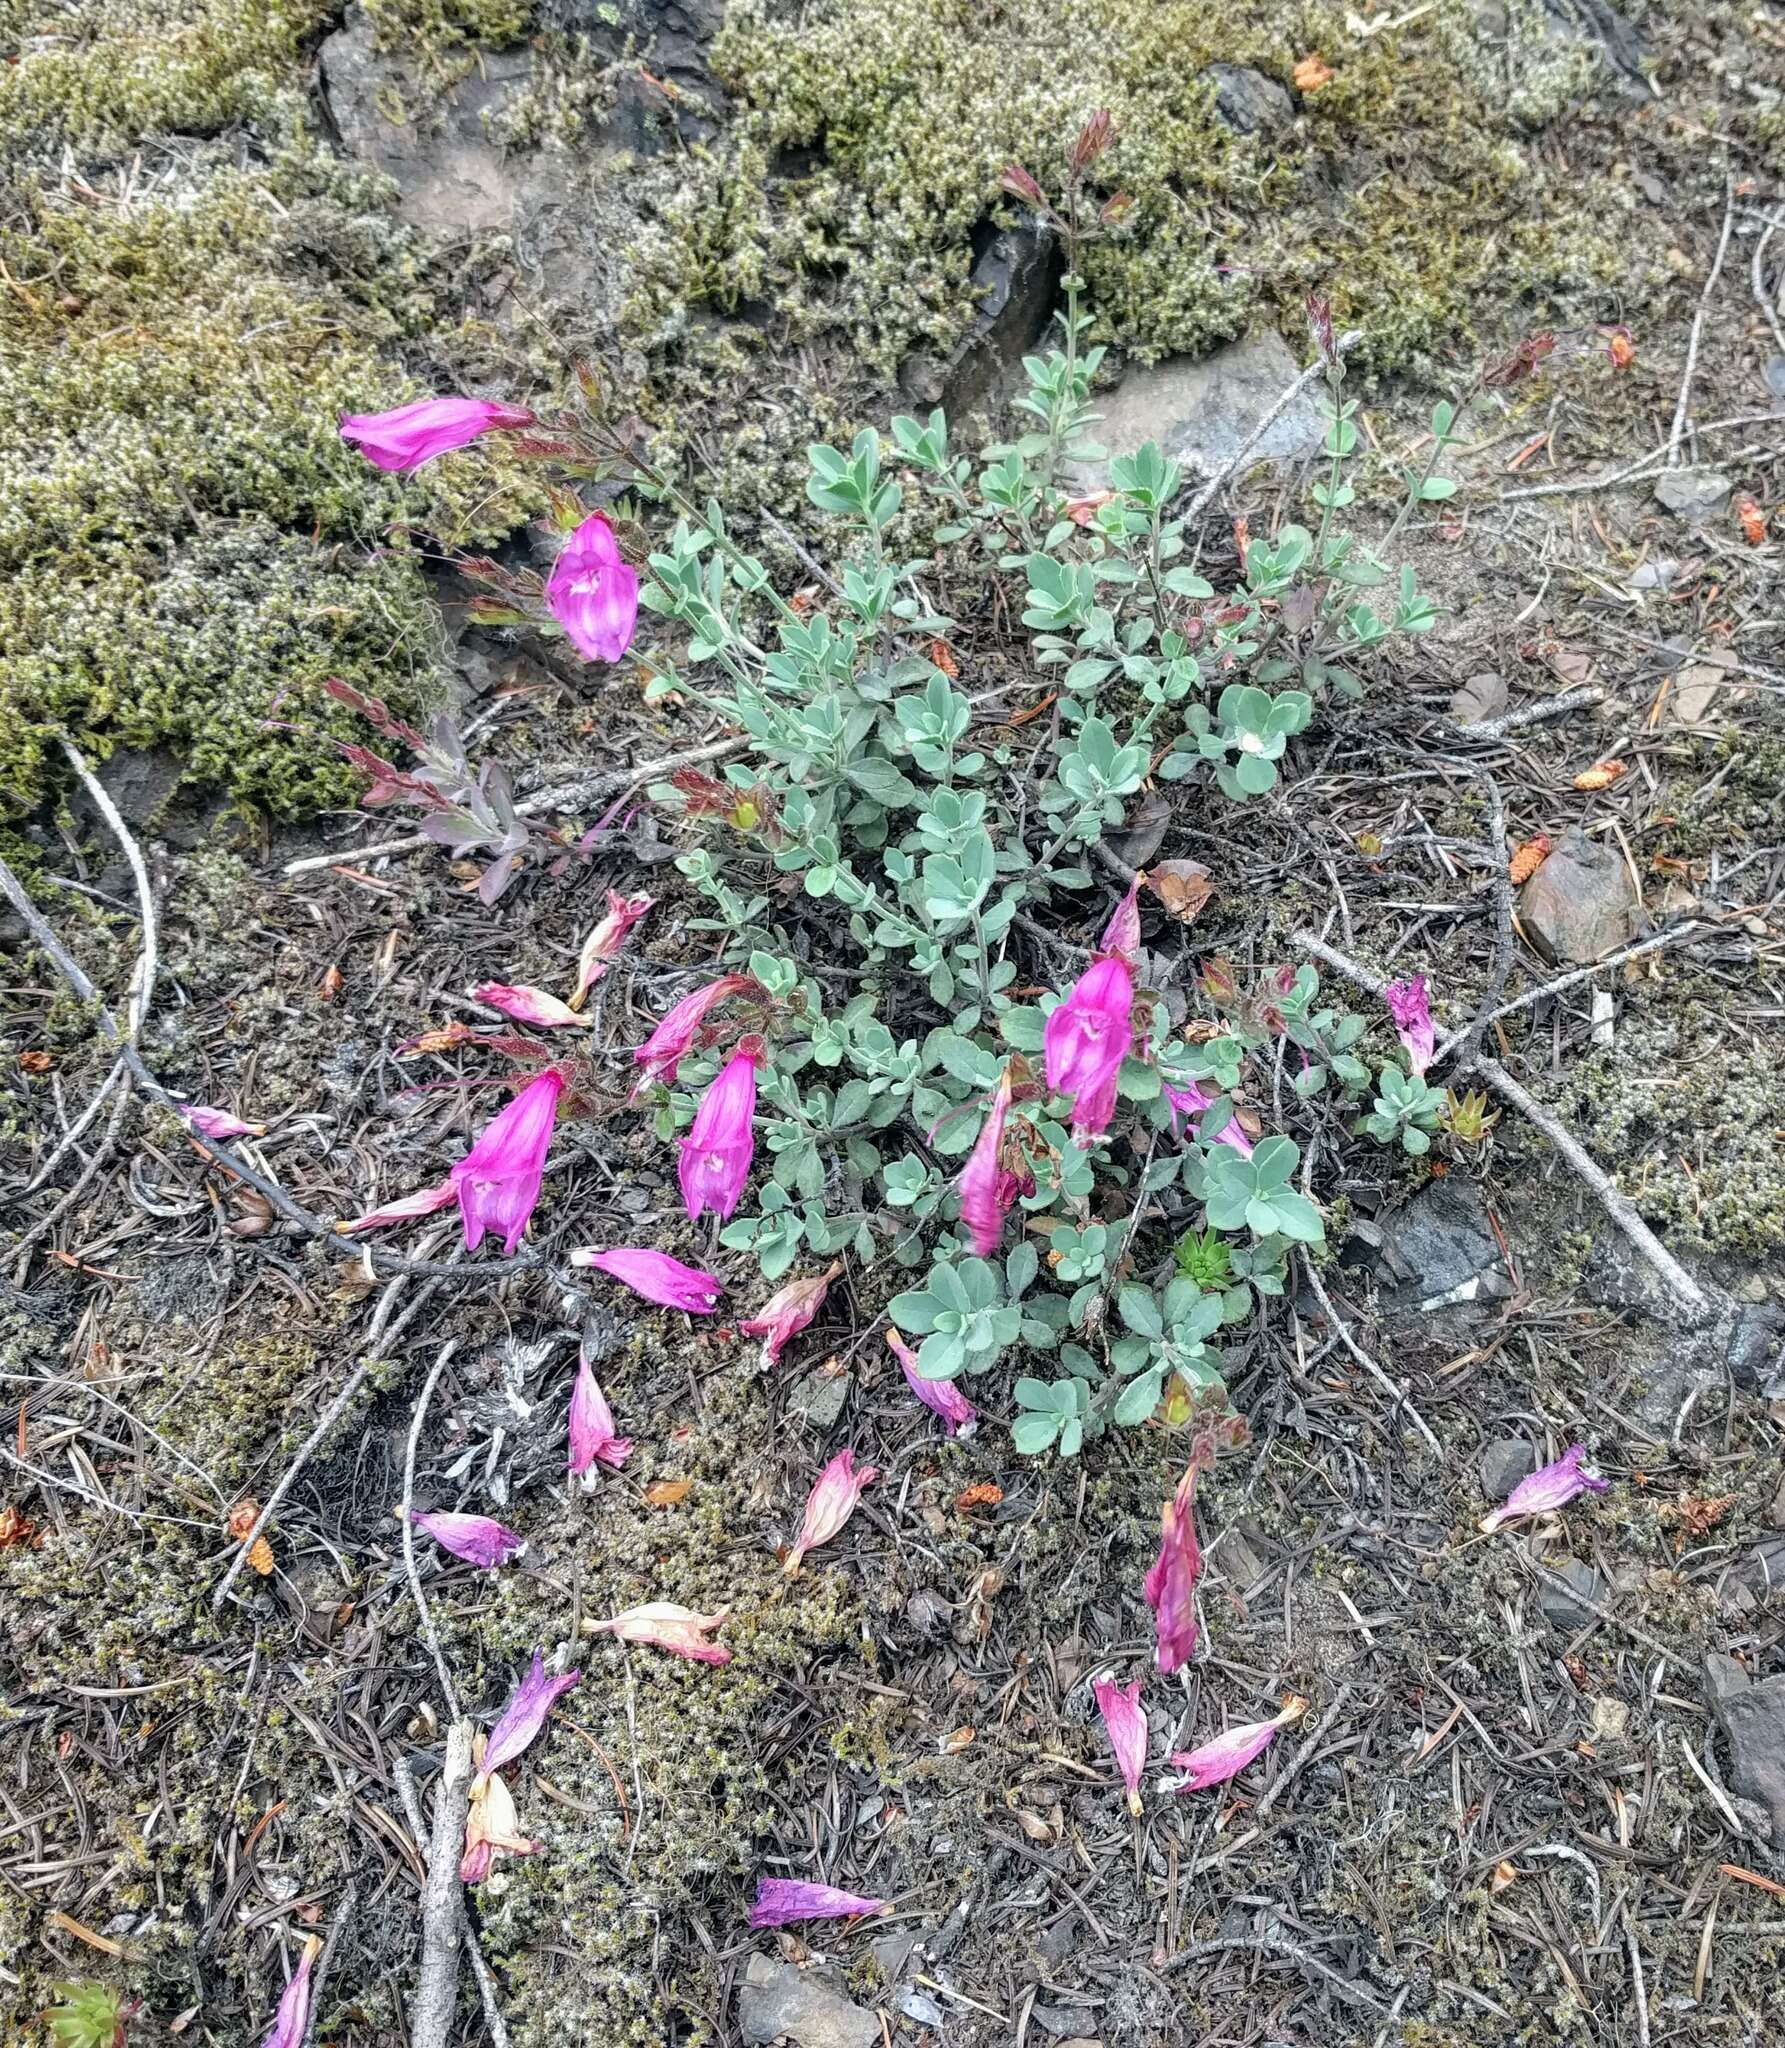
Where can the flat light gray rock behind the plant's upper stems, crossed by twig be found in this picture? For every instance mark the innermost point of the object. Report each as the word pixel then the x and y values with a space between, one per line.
pixel 1203 413
